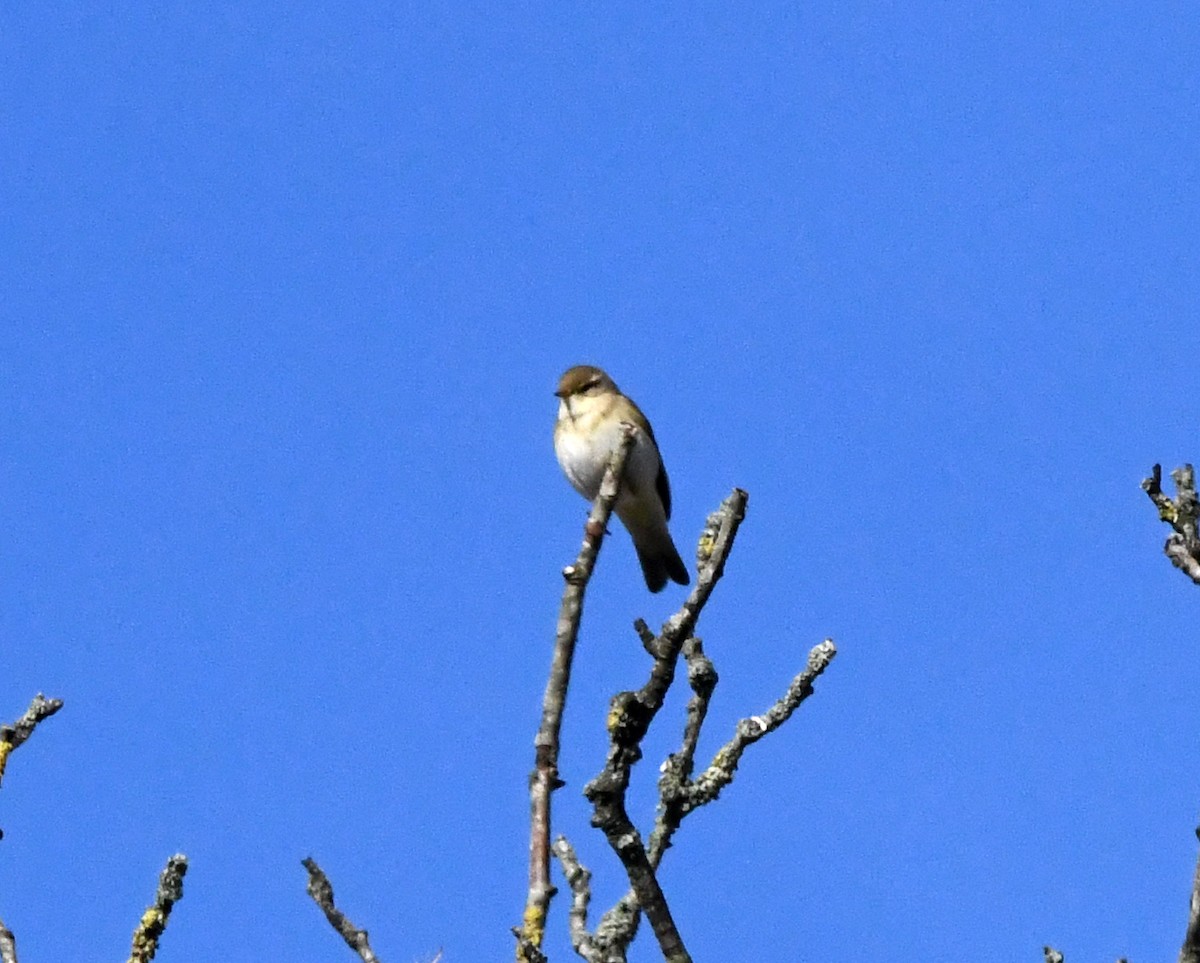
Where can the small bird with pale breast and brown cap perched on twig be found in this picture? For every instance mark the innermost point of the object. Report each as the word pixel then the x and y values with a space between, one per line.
pixel 591 410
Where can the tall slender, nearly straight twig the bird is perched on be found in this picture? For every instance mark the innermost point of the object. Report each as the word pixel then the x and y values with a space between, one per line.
pixel 544 780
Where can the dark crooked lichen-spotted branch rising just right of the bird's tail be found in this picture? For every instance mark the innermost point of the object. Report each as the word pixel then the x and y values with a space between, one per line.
pixel 631 717
